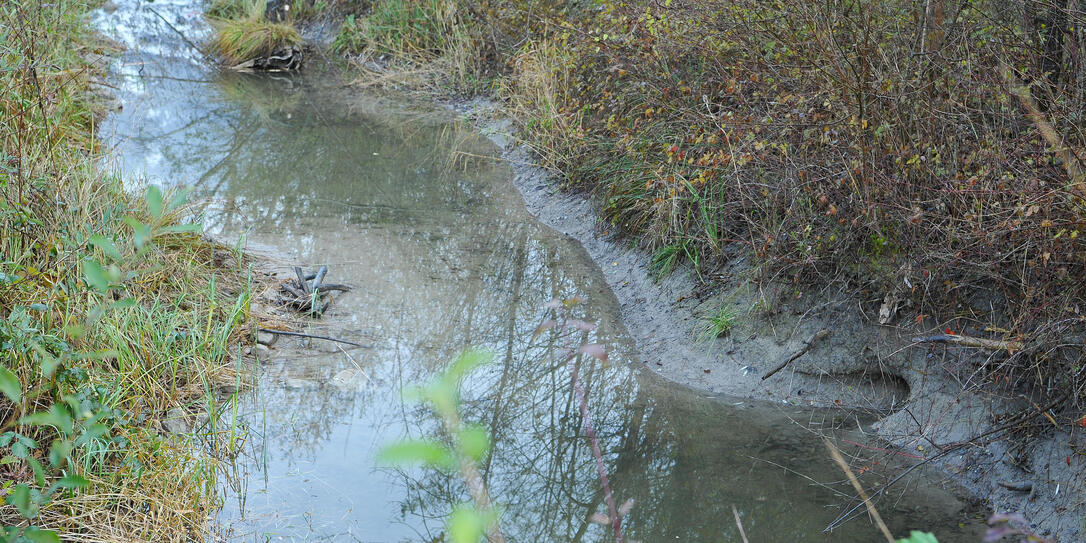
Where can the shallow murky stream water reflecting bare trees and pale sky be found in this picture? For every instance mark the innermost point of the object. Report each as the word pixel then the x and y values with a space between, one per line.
pixel 414 210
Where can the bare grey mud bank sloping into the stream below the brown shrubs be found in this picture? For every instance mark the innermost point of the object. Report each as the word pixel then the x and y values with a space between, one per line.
pixel 924 395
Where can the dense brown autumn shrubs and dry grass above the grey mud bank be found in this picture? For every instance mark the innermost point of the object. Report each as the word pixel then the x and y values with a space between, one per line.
pixel 927 155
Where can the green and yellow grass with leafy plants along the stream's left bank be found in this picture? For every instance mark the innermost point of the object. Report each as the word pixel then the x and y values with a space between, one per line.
pixel 115 311
